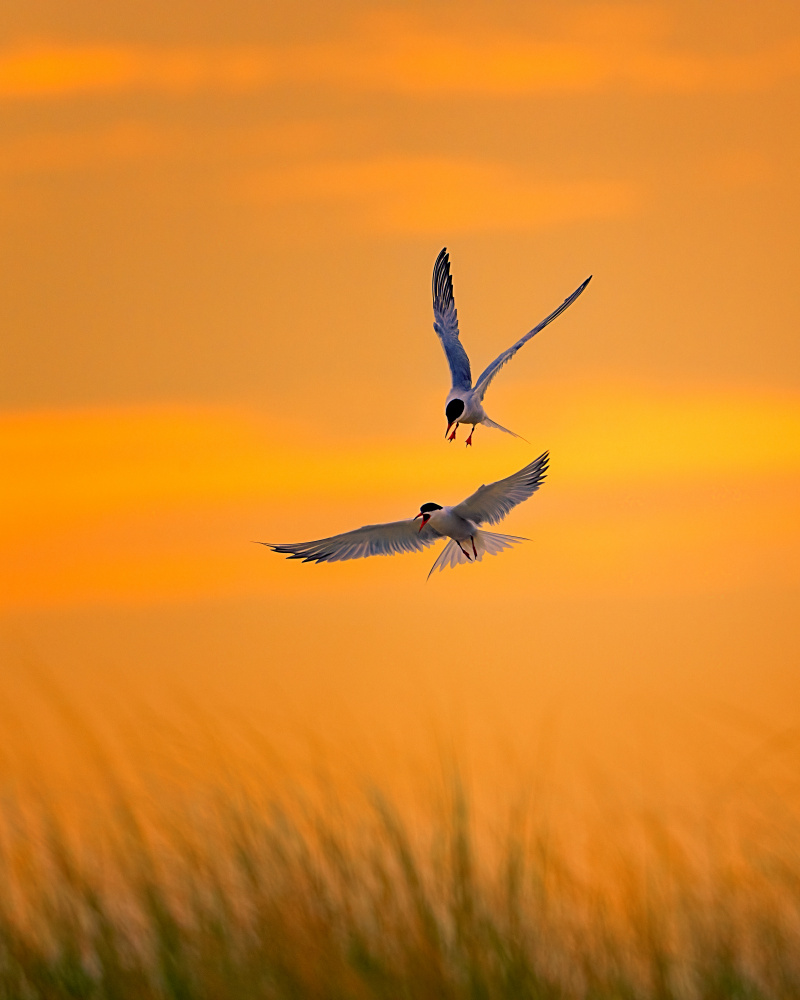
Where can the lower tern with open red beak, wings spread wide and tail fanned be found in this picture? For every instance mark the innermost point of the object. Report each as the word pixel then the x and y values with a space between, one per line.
pixel 468 542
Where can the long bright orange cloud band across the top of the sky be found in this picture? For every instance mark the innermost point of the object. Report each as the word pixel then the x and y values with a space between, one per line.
pixel 602 49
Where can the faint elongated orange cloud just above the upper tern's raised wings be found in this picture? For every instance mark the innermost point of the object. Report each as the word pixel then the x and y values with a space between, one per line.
pixel 430 195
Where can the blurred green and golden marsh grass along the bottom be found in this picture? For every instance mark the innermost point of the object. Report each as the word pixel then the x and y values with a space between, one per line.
pixel 232 888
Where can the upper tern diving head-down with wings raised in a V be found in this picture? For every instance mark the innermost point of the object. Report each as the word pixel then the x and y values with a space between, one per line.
pixel 464 404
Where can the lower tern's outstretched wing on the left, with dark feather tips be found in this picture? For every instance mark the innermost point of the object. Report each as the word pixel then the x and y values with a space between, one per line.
pixel 371 540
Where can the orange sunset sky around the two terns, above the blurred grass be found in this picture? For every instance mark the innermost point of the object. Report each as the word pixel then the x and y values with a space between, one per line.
pixel 218 228
